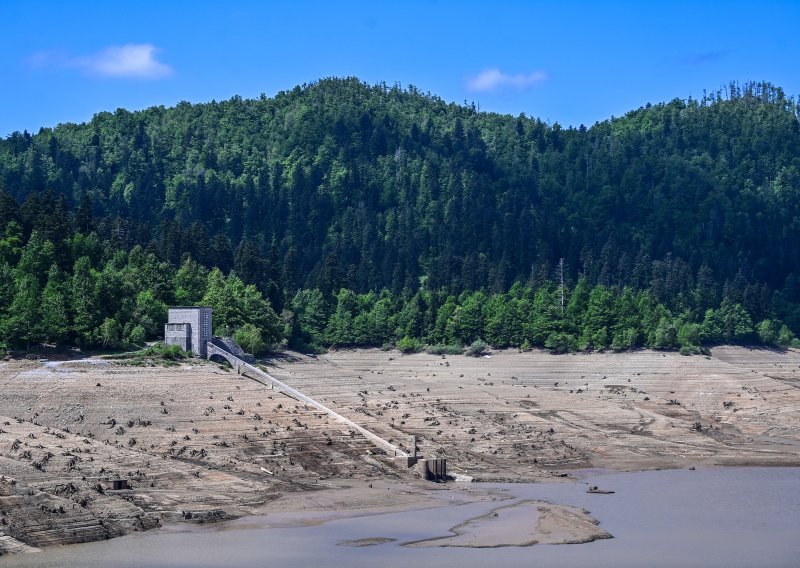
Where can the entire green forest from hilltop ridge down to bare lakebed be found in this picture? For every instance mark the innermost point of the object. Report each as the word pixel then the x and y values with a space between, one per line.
pixel 344 214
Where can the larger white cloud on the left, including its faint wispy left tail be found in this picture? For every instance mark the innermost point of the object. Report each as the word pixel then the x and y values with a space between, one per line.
pixel 136 61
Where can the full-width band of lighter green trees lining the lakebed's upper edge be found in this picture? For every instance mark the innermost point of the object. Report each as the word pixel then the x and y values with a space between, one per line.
pixel 107 298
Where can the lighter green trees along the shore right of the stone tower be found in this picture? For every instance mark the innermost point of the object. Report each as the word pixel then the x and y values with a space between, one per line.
pixel 551 317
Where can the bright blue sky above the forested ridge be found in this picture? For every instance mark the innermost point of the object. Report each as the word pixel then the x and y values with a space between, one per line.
pixel 567 62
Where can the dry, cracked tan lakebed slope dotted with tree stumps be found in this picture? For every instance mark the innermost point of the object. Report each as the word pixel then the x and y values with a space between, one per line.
pixel 199 443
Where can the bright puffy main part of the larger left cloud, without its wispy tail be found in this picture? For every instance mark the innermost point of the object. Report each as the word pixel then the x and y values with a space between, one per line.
pixel 136 61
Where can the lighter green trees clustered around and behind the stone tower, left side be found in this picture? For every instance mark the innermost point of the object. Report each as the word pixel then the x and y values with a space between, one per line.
pixel 113 298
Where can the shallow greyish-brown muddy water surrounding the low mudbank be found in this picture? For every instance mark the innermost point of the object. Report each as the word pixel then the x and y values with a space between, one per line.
pixel 732 517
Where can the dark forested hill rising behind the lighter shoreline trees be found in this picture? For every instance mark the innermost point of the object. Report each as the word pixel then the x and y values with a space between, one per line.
pixel 339 184
